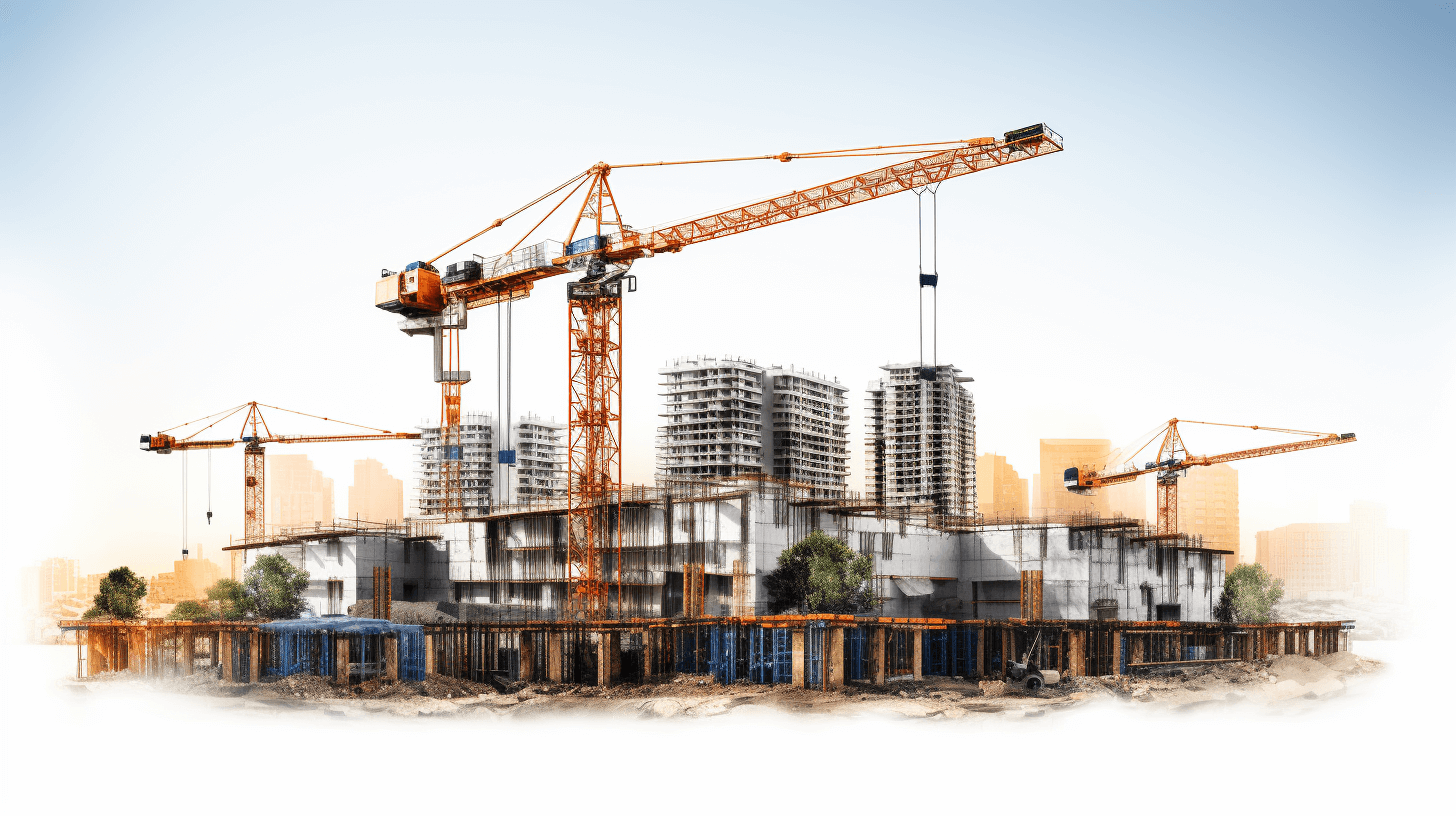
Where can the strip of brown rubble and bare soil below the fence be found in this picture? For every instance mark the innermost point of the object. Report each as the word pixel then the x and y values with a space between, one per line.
pixel 1276 683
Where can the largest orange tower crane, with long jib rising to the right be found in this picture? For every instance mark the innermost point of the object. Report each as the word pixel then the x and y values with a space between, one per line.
pixel 601 247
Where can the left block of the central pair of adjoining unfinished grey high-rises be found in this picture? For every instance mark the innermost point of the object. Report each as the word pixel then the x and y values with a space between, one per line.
pixel 714 419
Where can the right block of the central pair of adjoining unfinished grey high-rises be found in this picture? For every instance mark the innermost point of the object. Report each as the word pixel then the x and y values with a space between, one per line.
pixel 807 439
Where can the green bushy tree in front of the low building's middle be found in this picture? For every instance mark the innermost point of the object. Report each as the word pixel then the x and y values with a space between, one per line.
pixel 820 575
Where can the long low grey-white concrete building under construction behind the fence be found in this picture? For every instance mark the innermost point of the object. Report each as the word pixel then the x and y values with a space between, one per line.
pixel 705 547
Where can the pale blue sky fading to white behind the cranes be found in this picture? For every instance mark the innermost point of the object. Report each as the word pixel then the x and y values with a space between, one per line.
pixel 1251 224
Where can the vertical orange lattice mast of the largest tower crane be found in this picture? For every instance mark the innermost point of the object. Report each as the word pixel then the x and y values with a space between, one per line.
pixel 595 445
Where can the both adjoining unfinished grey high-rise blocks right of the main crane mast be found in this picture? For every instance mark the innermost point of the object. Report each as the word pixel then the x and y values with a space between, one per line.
pixel 730 417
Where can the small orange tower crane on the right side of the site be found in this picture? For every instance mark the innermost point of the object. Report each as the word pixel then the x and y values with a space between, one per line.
pixel 1174 461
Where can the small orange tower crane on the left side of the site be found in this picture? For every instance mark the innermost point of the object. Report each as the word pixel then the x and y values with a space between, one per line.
pixel 254 444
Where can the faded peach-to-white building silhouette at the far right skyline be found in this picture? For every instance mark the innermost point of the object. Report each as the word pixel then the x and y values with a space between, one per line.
pixel 1339 560
